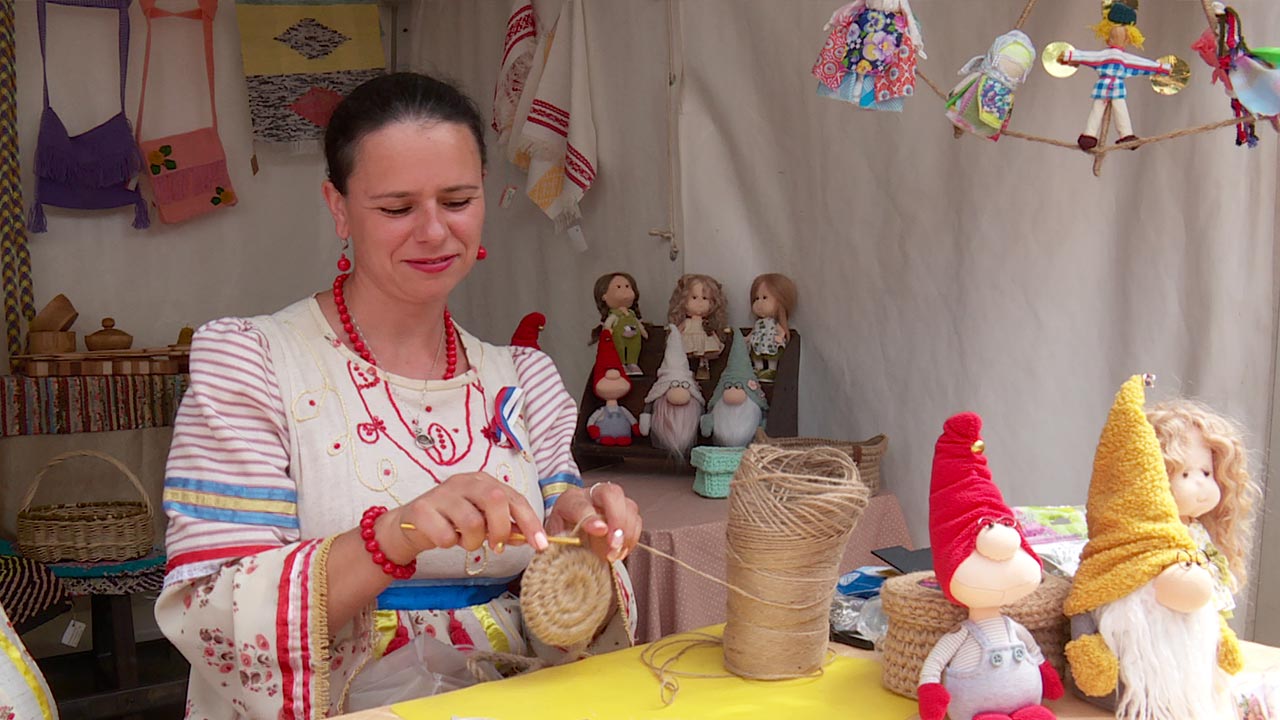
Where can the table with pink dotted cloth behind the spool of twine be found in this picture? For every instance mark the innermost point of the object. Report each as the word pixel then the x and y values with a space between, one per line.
pixel 680 523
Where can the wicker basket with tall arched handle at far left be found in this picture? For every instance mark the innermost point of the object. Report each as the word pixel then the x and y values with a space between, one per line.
pixel 85 532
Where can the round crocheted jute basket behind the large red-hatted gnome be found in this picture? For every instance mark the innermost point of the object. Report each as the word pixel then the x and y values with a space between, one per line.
pixel 920 614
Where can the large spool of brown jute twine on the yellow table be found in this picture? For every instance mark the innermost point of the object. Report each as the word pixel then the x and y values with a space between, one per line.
pixel 790 516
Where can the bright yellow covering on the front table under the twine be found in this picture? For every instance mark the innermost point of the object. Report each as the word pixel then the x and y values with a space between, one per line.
pixel 620 687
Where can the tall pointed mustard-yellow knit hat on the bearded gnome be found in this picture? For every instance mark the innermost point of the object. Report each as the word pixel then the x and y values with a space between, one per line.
pixel 1135 531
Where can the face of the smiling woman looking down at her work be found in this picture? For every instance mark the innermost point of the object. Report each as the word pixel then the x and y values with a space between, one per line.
pixel 414 208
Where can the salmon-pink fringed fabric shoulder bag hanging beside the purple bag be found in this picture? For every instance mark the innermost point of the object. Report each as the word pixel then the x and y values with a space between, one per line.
pixel 188 171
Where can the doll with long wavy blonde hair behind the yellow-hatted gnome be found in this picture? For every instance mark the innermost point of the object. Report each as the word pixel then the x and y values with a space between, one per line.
pixel 1209 476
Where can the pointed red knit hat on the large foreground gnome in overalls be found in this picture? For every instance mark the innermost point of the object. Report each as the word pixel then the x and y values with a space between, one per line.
pixel 962 498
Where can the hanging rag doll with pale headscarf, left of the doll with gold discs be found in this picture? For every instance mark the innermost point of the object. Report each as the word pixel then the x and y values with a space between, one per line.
pixel 985 99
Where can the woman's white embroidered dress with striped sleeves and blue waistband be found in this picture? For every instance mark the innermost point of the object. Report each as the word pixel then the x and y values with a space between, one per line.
pixel 284 440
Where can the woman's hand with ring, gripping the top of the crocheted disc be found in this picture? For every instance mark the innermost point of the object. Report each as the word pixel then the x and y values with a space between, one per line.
pixel 611 521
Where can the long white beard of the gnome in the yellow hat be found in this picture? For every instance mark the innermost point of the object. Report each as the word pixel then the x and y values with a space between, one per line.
pixel 1168 659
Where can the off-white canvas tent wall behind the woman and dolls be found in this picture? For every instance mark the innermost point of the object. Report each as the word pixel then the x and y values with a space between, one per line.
pixel 936 275
